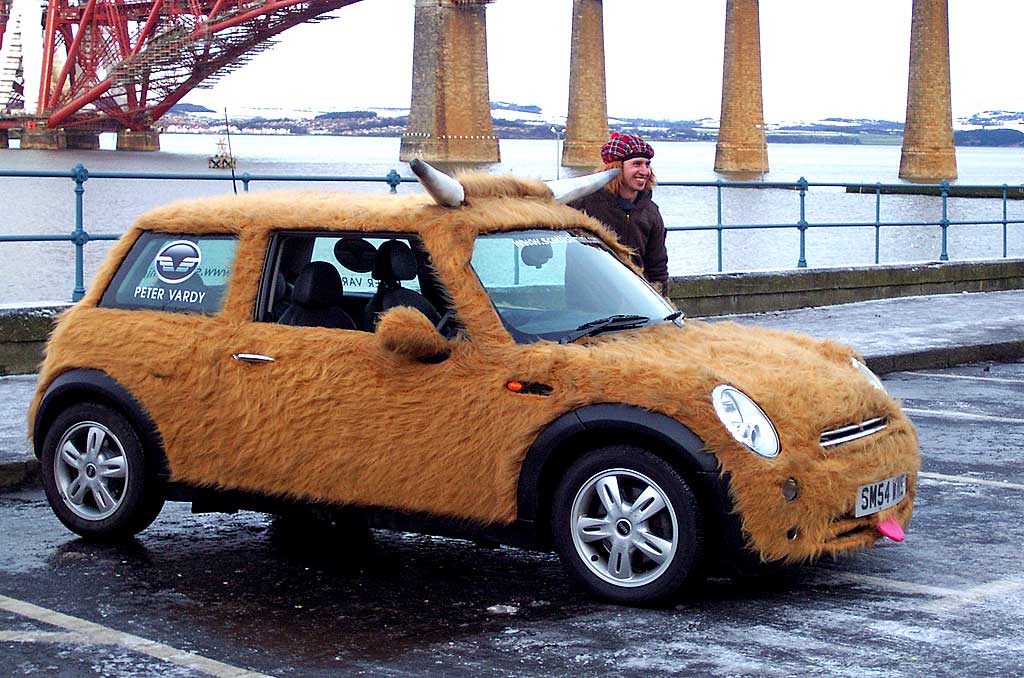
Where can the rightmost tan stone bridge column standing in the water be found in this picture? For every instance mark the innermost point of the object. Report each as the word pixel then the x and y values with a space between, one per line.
pixel 929 154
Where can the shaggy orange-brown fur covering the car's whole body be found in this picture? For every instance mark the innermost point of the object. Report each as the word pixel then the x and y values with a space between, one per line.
pixel 339 418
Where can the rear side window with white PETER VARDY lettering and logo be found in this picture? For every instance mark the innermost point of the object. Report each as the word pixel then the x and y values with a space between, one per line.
pixel 176 273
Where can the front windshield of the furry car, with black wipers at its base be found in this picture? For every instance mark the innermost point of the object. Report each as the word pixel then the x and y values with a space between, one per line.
pixel 562 285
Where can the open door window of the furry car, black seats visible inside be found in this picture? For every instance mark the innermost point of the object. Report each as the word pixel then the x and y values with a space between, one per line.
pixel 345 281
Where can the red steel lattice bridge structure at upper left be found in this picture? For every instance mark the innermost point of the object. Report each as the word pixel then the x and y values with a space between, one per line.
pixel 114 65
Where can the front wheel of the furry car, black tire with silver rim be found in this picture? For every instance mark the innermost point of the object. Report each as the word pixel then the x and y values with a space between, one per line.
pixel 627 527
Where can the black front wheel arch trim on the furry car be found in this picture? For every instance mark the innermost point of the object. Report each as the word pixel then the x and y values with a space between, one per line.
pixel 576 433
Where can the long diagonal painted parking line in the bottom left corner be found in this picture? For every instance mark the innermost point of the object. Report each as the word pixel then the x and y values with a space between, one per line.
pixel 97 634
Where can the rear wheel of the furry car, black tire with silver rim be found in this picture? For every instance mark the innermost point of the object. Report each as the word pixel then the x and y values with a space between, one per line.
pixel 98 478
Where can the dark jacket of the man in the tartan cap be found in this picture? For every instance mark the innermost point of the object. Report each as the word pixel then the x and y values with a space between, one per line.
pixel 643 229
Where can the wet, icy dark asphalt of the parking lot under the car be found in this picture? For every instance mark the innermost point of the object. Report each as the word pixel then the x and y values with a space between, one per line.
pixel 250 596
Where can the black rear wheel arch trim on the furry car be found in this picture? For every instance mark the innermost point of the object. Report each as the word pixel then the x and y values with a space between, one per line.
pixel 89 386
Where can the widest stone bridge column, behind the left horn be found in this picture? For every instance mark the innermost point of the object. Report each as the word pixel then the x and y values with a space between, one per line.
pixel 450 117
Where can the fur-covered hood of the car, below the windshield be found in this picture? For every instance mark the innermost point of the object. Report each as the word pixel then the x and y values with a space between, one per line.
pixel 805 386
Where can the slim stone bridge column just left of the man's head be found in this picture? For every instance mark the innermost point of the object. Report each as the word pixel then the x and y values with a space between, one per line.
pixel 587 126
